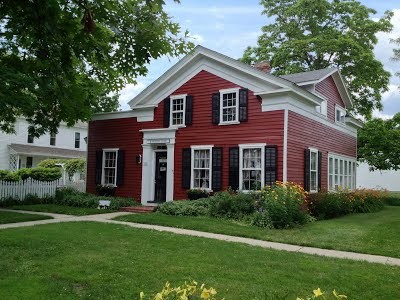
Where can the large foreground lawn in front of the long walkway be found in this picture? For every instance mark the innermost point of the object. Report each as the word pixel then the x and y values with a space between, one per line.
pixel 85 260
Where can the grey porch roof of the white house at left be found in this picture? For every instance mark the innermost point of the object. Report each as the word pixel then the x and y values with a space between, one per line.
pixel 47 151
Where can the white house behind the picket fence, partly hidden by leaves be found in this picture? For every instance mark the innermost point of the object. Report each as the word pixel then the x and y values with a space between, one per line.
pixel 21 150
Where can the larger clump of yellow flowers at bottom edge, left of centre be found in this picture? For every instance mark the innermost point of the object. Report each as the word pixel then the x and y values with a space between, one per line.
pixel 186 291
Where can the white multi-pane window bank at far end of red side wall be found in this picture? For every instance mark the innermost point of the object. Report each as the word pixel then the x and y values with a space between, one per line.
pixel 341 172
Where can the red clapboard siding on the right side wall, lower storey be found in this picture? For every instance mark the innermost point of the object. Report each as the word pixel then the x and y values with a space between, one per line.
pixel 304 133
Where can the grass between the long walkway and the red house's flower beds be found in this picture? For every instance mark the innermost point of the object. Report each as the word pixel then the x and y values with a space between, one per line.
pixel 373 233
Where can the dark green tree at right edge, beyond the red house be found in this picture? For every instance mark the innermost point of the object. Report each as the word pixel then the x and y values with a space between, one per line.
pixel 379 143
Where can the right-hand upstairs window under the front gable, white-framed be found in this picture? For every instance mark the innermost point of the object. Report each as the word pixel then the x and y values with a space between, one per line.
pixel 229 106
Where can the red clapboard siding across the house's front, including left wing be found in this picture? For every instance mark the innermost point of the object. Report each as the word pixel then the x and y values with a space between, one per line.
pixel 124 134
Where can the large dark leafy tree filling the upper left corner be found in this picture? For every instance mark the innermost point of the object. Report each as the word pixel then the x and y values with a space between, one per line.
pixel 61 59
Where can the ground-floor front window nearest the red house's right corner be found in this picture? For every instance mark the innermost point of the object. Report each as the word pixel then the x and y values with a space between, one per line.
pixel 251 166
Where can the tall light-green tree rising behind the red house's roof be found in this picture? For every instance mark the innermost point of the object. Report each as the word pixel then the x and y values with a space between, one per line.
pixel 306 35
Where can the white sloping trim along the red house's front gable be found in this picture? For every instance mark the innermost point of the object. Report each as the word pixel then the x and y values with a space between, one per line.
pixel 155 91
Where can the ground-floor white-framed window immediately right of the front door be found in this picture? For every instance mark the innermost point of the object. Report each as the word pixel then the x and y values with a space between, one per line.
pixel 201 167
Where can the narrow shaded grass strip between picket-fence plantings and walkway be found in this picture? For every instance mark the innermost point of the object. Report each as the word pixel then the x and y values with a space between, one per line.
pixel 62 209
